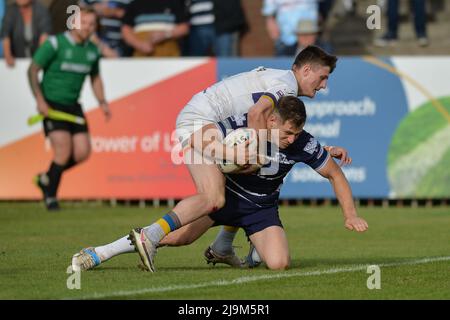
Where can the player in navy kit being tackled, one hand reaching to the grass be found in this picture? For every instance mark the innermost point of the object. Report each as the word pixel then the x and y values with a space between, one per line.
pixel 252 199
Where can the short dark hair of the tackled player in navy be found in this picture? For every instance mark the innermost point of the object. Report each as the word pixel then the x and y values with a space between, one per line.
pixel 290 108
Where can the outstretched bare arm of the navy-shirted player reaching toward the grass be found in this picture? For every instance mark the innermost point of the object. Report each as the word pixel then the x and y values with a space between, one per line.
pixel 343 193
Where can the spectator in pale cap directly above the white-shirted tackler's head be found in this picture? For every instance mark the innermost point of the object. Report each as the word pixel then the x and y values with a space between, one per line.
pixel 308 34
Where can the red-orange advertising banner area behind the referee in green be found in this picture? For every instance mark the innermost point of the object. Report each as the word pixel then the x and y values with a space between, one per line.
pixel 131 156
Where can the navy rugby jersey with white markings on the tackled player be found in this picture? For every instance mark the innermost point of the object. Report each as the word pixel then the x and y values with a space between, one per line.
pixel 264 189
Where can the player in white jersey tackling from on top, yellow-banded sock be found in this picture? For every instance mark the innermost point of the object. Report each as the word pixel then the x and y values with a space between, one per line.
pixel 256 93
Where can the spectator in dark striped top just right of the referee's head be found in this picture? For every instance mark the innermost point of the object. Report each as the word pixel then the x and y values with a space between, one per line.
pixel 110 13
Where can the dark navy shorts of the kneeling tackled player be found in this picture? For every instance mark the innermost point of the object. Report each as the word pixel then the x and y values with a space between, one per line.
pixel 239 212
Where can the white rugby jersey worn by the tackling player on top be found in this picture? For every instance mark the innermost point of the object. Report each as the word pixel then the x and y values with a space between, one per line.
pixel 236 94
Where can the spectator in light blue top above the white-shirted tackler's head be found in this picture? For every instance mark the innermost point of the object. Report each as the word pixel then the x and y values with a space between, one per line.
pixel 282 17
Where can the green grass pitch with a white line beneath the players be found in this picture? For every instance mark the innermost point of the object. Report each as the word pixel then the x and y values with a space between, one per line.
pixel 411 246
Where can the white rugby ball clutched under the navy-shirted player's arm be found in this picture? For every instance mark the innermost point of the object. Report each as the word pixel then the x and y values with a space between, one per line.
pixel 237 137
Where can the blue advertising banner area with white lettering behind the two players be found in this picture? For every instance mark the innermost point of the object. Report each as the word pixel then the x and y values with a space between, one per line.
pixel 360 110
